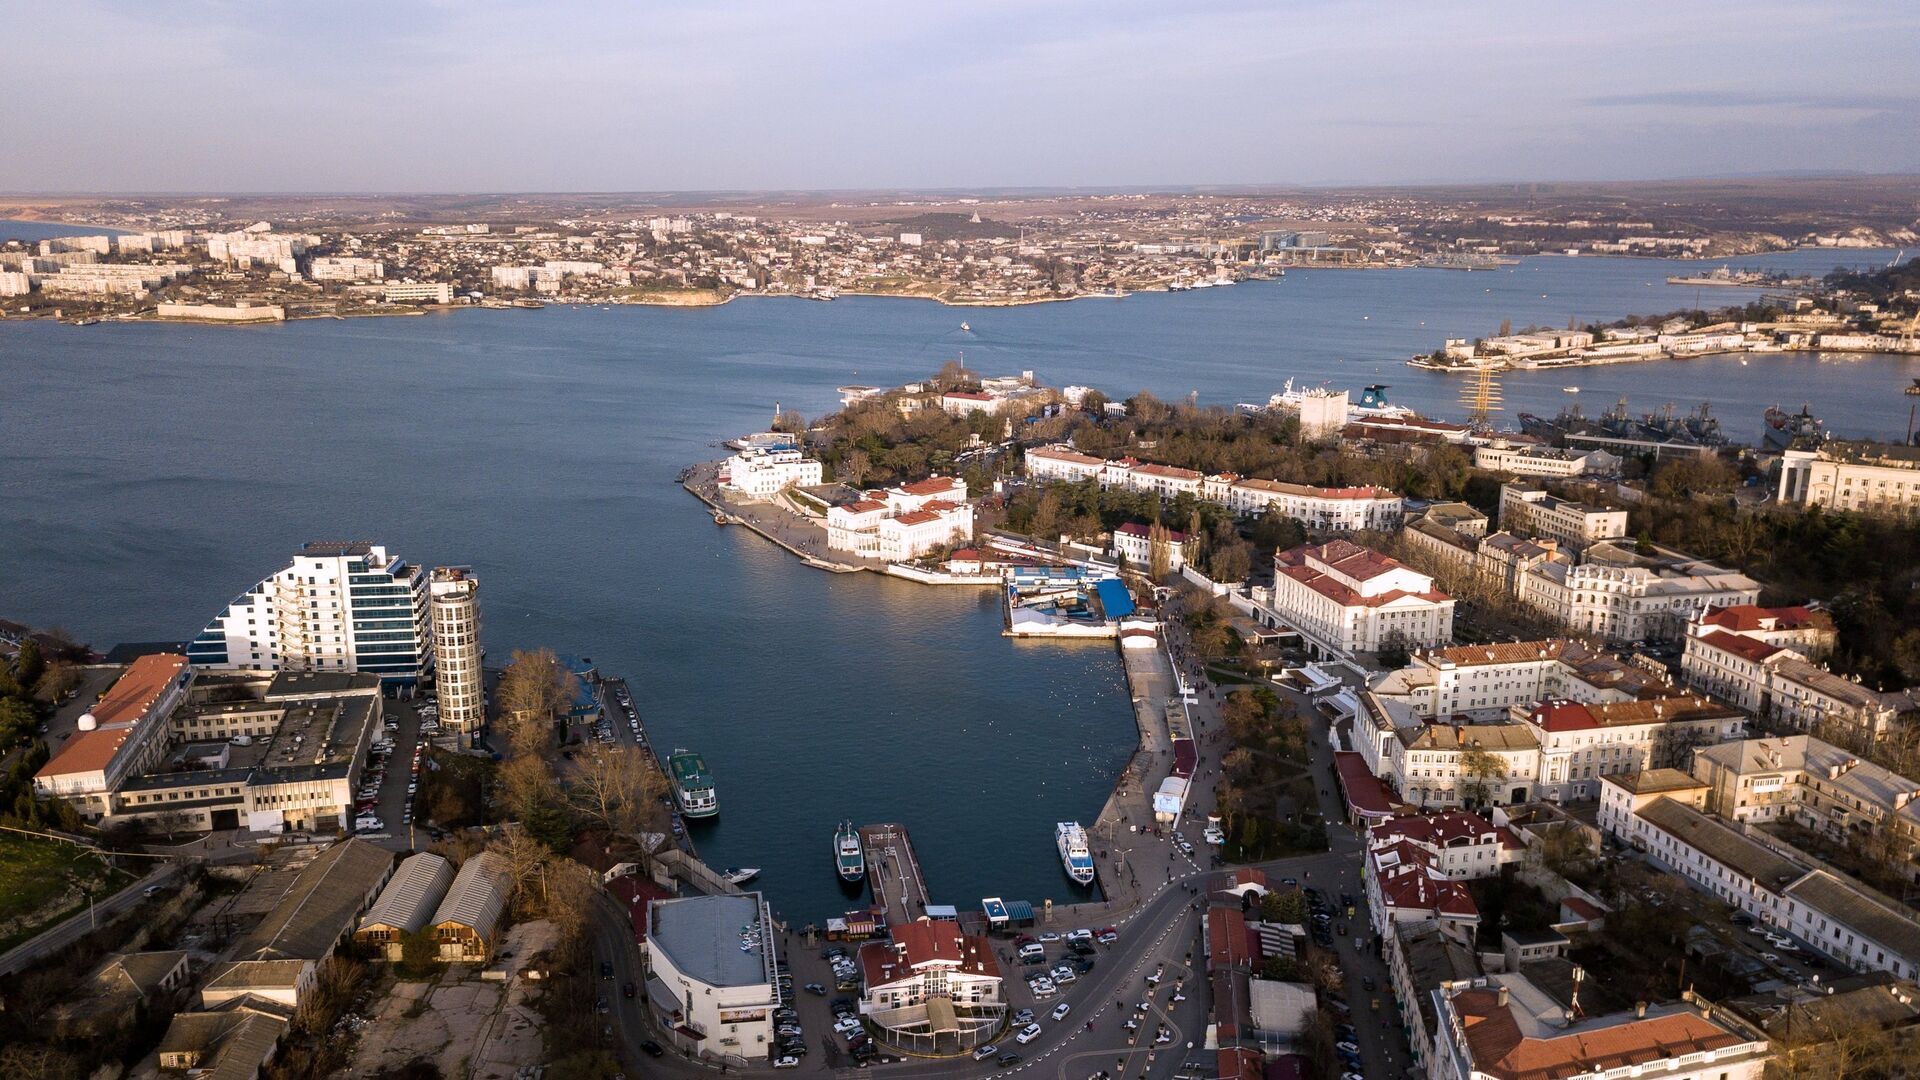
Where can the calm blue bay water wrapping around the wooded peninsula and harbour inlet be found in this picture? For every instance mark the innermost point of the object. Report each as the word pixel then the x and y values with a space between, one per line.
pixel 149 474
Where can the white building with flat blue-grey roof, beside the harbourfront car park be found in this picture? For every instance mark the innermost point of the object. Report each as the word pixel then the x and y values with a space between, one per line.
pixel 711 996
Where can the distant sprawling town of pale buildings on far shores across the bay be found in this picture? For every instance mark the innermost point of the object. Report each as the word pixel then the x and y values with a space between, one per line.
pixel 199 262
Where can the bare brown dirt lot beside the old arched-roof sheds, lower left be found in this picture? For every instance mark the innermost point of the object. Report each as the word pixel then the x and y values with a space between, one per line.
pixel 462 1023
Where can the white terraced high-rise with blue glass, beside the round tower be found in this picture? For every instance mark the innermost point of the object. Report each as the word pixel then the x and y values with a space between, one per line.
pixel 337 606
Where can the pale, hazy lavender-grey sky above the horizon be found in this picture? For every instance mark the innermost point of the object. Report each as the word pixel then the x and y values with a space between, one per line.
pixel 489 97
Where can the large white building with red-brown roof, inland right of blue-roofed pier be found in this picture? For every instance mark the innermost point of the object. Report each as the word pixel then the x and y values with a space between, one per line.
pixel 1351 601
